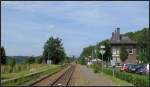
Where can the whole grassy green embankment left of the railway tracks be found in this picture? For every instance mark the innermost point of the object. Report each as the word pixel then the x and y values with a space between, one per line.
pixel 28 76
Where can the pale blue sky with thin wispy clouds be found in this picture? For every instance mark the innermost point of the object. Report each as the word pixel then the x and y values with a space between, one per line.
pixel 27 25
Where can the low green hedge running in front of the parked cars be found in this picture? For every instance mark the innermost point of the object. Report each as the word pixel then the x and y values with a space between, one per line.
pixel 135 79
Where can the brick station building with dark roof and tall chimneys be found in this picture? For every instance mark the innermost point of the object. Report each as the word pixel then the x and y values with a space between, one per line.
pixel 118 40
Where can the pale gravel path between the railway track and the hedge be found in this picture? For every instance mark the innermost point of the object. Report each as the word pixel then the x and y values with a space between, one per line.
pixel 84 76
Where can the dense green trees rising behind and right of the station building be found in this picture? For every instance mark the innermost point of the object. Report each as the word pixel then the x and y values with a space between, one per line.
pixel 141 37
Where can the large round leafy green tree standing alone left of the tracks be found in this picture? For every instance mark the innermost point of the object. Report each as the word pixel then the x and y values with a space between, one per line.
pixel 54 51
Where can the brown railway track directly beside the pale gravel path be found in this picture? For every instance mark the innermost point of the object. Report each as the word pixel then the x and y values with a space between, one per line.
pixel 65 78
